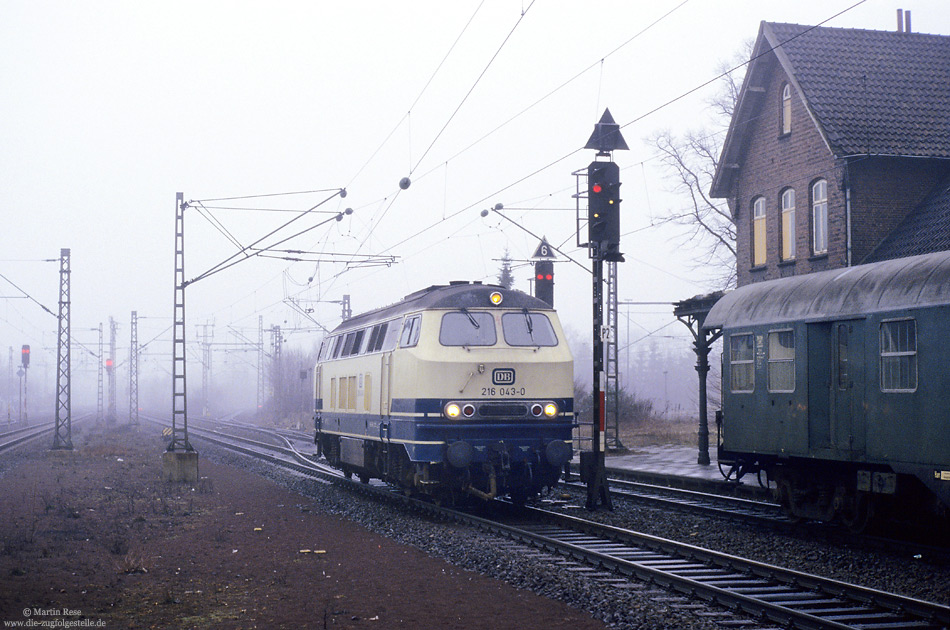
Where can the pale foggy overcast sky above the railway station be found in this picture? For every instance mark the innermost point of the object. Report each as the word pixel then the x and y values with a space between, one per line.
pixel 107 109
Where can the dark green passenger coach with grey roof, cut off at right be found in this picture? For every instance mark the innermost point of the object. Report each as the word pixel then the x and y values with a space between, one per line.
pixel 837 385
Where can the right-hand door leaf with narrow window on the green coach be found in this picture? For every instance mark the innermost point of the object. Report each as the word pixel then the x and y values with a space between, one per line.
pixel 847 386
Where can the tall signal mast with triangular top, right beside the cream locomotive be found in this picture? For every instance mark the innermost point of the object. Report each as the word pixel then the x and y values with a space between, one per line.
pixel 603 228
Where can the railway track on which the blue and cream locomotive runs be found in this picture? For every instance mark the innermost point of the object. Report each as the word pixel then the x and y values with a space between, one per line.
pixel 762 595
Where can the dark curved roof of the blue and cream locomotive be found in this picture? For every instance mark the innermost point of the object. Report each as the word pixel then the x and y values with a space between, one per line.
pixel 453 295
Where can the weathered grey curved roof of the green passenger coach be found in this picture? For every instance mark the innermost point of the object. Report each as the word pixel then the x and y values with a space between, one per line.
pixel 838 293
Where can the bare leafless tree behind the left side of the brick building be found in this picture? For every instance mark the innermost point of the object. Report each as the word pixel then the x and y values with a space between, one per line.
pixel 690 160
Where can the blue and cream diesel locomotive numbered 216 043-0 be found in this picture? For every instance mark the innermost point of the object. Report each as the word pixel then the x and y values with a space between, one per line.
pixel 458 390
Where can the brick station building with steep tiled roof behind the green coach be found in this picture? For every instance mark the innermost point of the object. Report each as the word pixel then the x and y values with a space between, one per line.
pixel 838 152
